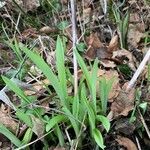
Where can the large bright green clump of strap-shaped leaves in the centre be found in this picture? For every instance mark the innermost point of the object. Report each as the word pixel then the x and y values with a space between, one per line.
pixel 78 112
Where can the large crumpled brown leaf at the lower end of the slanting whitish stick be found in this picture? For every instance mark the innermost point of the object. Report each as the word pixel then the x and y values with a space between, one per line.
pixel 123 103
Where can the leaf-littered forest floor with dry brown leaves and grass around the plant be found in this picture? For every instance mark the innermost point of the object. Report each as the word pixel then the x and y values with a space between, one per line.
pixel 115 32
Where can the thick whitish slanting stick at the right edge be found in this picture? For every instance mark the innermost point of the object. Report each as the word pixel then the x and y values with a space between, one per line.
pixel 139 70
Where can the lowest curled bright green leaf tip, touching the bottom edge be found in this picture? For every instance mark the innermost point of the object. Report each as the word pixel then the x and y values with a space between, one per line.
pixel 98 138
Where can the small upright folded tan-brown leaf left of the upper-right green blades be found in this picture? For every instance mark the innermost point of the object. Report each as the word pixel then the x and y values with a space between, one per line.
pixel 113 45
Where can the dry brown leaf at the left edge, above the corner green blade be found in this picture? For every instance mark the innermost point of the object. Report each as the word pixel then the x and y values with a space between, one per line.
pixel 7 120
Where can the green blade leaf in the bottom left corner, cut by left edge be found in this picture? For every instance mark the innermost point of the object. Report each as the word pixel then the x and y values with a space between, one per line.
pixel 9 135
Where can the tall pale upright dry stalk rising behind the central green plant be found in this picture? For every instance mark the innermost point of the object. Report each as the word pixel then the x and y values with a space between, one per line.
pixel 74 40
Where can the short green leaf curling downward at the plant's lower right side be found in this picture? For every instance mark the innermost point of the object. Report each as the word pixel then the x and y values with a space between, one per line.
pixel 105 121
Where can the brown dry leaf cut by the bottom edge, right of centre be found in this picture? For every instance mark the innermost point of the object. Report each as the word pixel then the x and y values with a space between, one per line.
pixel 126 142
